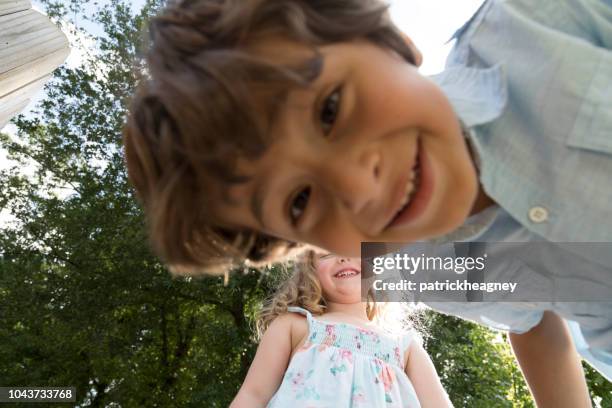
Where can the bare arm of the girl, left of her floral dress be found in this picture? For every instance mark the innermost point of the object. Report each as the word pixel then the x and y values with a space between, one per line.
pixel 268 367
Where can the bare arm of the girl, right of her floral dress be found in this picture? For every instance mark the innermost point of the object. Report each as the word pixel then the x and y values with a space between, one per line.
pixel 424 378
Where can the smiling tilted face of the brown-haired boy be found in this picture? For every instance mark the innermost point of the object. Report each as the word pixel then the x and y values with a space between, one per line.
pixel 372 151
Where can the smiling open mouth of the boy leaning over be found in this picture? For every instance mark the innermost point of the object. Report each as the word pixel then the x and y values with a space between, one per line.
pixel 416 191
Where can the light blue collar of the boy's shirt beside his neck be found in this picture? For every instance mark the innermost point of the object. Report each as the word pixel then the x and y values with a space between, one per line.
pixel 478 95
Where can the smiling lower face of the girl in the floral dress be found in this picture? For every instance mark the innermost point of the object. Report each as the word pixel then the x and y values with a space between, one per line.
pixel 340 278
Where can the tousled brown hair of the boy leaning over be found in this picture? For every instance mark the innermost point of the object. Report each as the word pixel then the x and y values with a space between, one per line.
pixel 204 101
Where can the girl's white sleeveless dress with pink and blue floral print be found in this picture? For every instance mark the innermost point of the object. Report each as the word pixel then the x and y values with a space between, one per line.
pixel 343 365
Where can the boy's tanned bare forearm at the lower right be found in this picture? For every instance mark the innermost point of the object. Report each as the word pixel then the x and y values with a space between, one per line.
pixel 550 364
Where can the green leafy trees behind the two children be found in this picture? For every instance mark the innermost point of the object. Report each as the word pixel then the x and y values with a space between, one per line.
pixel 84 303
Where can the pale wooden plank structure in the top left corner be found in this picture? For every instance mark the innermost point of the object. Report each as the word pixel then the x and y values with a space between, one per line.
pixel 31 47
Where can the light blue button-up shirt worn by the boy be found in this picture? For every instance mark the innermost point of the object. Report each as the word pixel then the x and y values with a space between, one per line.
pixel 533 82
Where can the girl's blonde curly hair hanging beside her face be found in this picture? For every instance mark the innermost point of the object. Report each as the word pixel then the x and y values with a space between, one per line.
pixel 302 289
